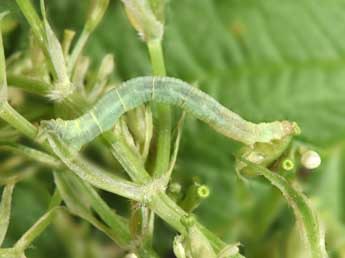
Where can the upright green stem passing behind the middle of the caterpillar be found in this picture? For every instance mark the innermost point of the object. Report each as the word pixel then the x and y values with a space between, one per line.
pixel 164 114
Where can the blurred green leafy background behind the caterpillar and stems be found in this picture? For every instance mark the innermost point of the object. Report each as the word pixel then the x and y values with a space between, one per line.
pixel 266 60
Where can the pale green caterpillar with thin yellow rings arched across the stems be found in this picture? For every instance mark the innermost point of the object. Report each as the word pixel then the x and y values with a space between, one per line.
pixel 135 92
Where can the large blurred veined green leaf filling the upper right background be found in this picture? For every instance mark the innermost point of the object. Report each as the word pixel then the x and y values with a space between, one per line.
pixel 267 65
